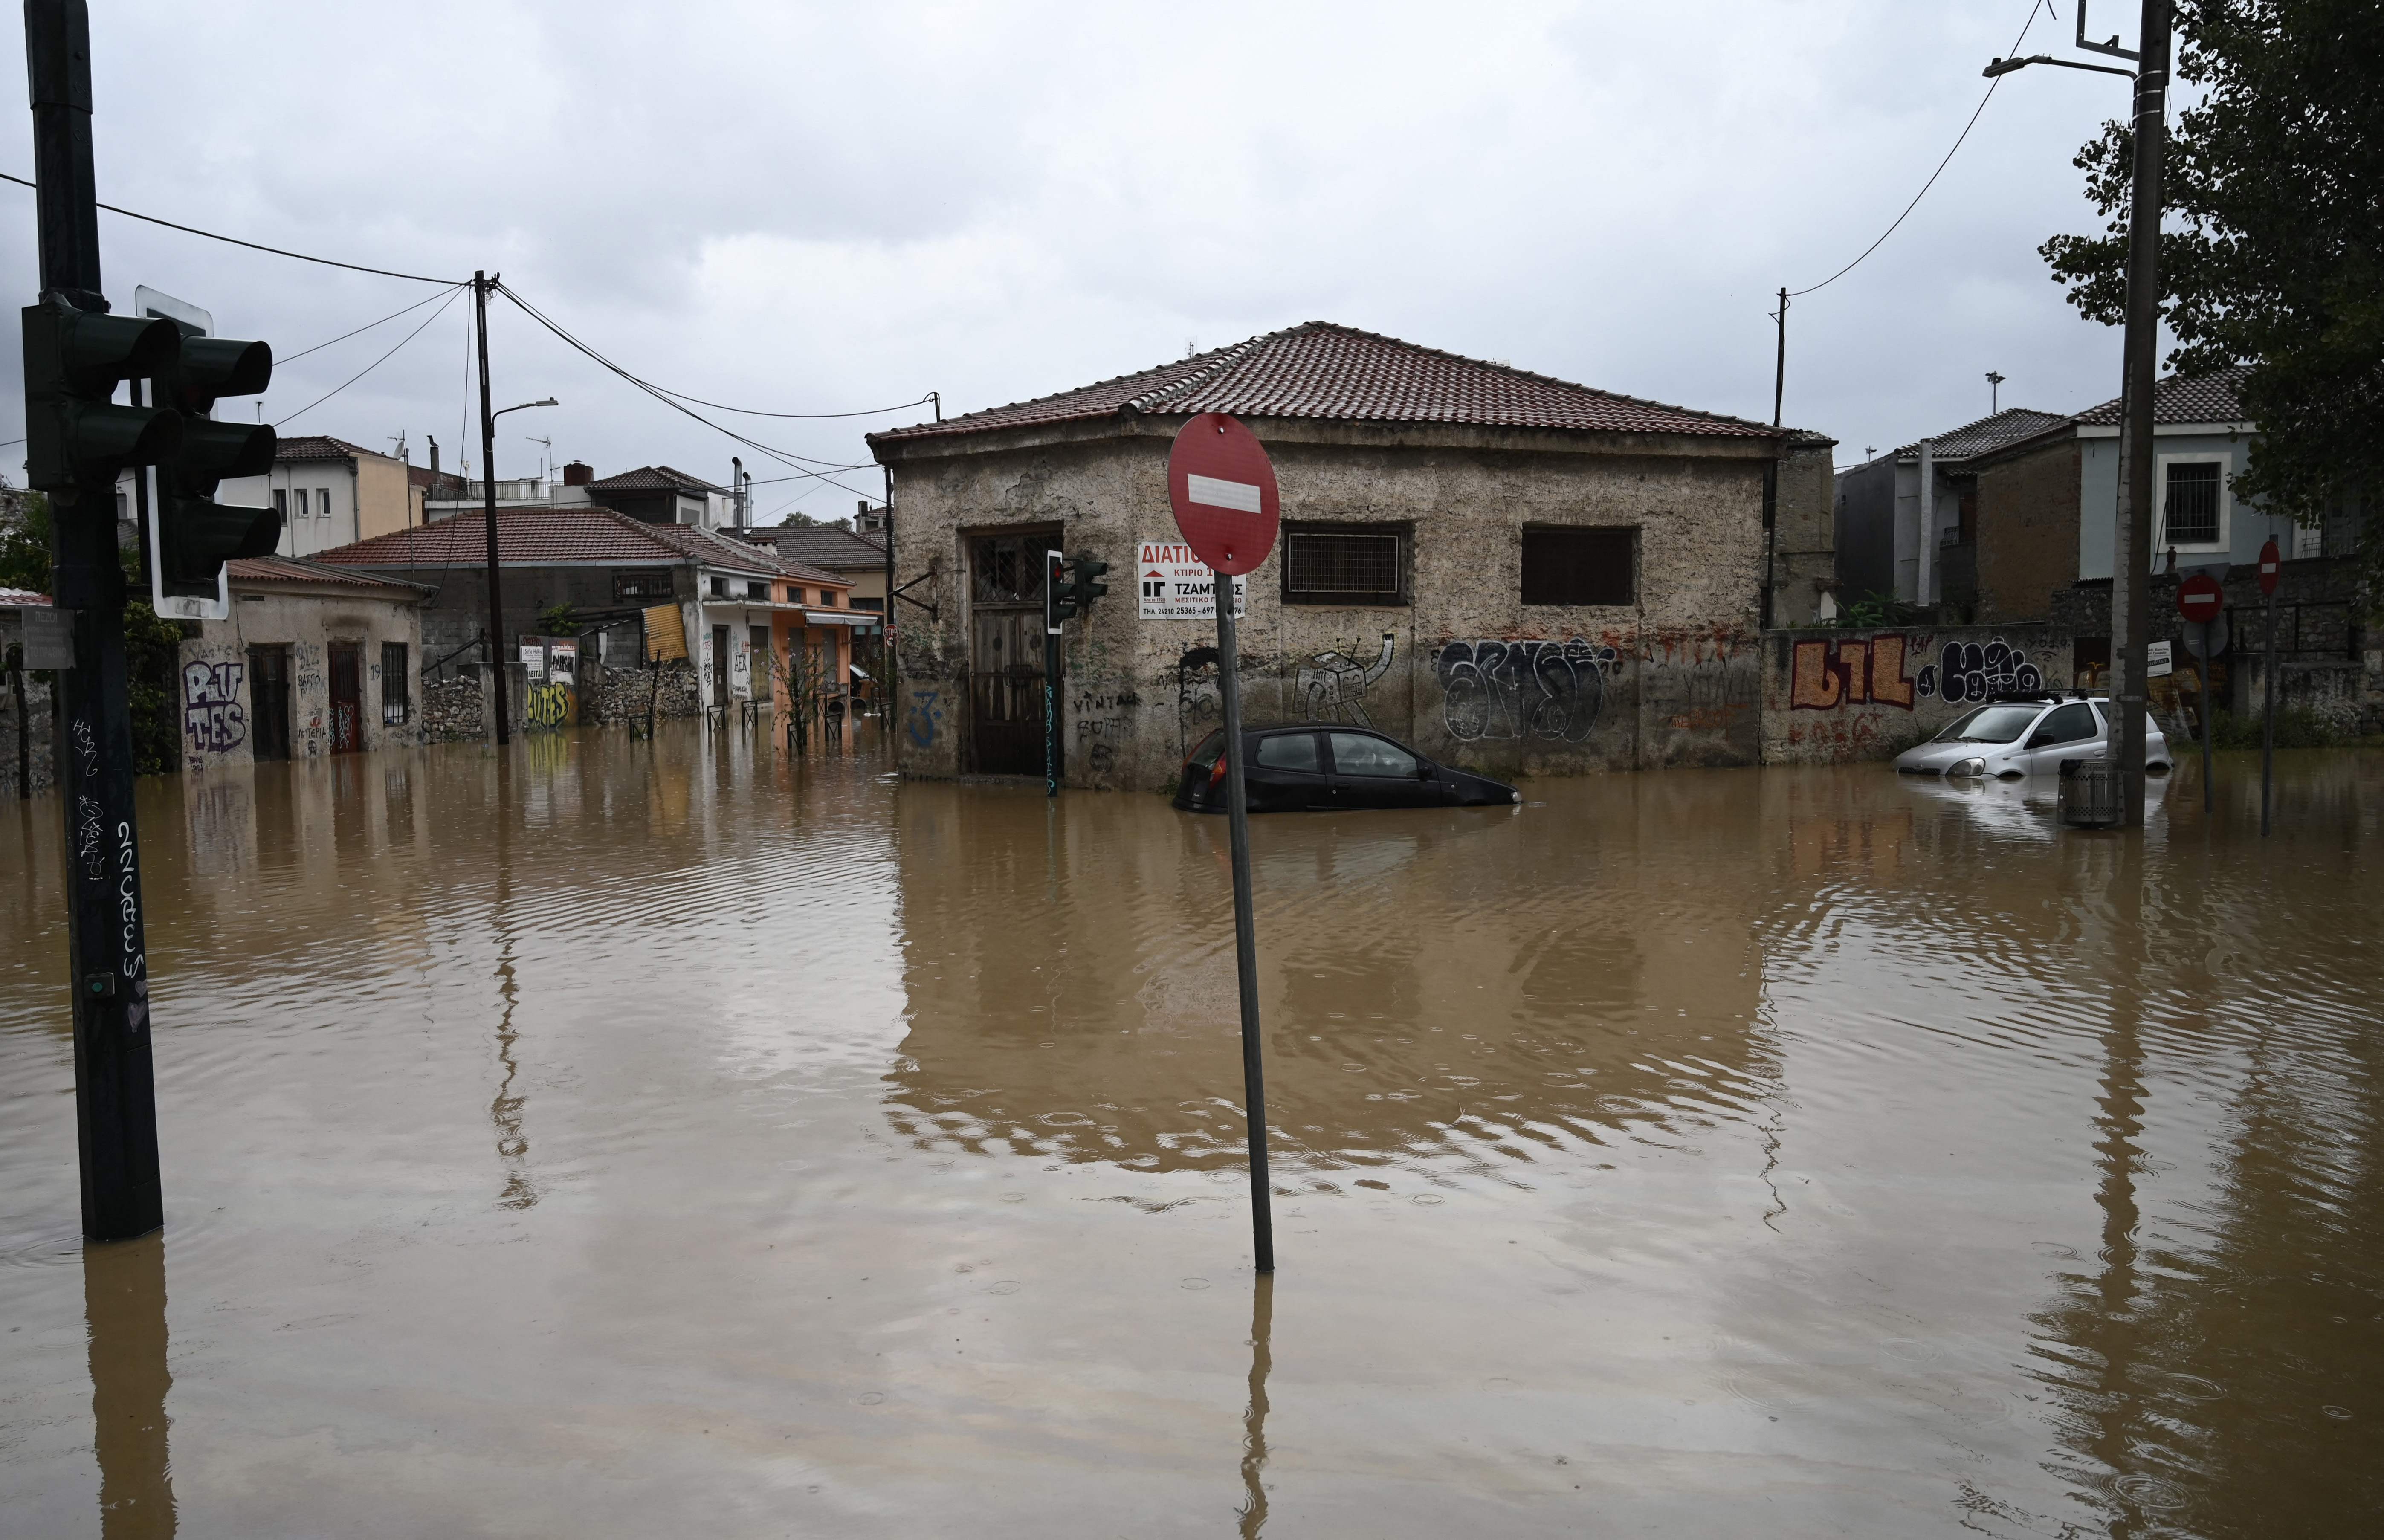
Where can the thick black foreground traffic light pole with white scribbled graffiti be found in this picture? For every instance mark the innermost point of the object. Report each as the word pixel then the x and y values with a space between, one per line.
pixel 116 1103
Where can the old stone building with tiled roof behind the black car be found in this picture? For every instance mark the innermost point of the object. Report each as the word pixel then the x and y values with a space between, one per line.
pixel 1508 571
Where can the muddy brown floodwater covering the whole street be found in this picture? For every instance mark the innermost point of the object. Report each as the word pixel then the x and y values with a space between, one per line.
pixel 678 1141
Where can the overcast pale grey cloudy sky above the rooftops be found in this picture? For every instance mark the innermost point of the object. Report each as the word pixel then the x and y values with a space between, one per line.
pixel 828 209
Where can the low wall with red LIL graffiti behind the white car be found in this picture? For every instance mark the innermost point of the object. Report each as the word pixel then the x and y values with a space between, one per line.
pixel 1834 695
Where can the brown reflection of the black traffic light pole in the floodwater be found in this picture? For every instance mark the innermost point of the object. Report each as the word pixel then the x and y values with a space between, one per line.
pixel 125 1312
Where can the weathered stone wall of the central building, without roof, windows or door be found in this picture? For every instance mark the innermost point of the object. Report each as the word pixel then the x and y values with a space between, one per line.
pixel 1465 671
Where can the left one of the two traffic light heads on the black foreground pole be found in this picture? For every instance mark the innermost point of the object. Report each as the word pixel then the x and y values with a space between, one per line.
pixel 73 368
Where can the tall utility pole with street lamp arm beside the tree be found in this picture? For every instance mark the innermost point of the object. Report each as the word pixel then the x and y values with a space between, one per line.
pixel 2132 535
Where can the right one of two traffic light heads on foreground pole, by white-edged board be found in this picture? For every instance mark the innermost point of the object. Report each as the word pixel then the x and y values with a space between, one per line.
pixel 197 535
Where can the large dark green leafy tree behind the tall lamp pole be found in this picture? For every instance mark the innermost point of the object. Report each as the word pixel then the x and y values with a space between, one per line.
pixel 2271 256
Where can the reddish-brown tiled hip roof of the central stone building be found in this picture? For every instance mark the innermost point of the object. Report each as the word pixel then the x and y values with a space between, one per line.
pixel 1346 375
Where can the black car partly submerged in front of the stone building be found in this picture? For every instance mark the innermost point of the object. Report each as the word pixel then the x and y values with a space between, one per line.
pixel 1329 766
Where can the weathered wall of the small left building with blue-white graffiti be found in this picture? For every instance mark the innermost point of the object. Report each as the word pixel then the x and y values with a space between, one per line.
pixel 216 690
